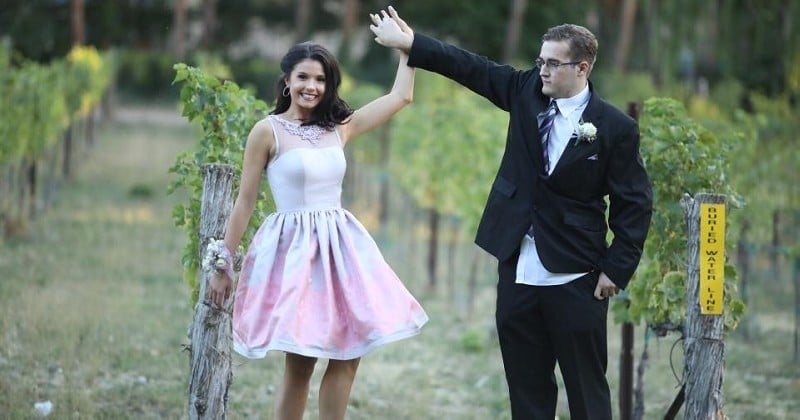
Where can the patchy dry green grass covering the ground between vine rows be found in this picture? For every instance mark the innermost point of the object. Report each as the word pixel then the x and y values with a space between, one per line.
pixel 93 315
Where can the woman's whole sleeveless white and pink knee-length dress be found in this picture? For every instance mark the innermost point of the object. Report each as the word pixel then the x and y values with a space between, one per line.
pixel 313 281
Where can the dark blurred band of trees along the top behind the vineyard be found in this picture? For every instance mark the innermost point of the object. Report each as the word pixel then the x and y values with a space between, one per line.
pixel 755 41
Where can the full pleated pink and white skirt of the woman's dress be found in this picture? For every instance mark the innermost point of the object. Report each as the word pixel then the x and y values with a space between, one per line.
pixel 315 283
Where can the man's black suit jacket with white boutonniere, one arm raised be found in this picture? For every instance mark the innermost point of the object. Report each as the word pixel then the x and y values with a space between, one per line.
pixel 568 208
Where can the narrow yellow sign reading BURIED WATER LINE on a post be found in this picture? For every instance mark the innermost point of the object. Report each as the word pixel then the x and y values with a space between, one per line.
pixel 712 258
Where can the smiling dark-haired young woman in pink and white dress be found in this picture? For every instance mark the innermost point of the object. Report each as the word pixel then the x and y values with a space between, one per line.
pixel 313 282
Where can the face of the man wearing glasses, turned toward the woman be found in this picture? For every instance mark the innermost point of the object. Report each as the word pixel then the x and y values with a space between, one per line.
pixel 560 81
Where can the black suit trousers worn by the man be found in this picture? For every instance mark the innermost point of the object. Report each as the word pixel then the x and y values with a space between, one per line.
pixel 539 326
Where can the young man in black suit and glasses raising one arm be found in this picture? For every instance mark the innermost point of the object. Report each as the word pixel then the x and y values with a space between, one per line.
pixel 545 218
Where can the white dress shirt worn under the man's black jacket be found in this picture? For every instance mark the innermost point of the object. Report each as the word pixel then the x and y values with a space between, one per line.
pixel 530 269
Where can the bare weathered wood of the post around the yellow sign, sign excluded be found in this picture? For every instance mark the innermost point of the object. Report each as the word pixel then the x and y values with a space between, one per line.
pixel 704 350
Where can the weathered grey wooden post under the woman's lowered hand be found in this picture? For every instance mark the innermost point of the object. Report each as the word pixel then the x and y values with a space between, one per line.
pixel 210 332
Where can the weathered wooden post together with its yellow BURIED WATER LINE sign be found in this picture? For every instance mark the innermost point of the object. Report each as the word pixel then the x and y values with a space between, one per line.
pixel 704 349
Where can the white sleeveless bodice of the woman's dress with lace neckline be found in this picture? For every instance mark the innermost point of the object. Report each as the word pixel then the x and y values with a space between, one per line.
pixel 308 168
